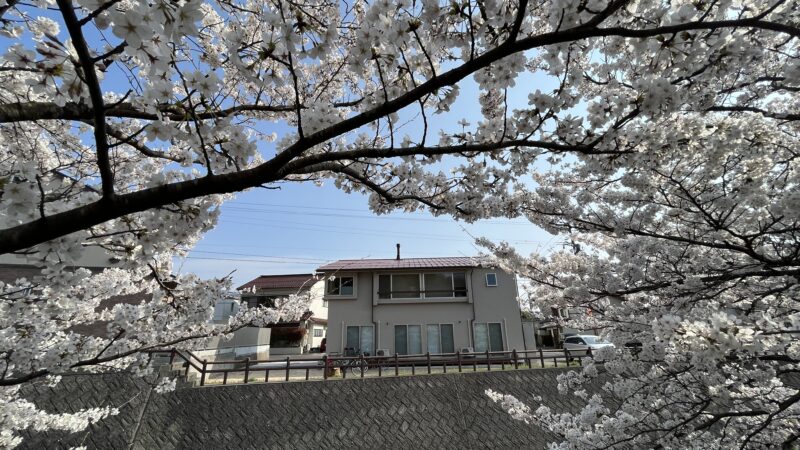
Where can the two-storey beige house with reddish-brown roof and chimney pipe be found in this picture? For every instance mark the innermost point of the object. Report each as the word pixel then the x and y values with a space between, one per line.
pixel 419 305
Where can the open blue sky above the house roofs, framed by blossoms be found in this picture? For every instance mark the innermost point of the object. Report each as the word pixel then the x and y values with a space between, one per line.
pixel 301 226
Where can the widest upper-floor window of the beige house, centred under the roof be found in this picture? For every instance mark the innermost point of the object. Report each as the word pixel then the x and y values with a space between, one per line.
pixel 427 285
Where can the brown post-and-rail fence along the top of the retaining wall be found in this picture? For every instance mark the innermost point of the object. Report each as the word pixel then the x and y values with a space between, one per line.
pixel 360 366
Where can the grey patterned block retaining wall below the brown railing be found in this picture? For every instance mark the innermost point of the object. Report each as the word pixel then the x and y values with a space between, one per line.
pixel 414 412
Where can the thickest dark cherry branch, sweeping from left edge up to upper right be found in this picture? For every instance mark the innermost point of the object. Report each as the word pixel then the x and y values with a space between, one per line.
pixel 42 230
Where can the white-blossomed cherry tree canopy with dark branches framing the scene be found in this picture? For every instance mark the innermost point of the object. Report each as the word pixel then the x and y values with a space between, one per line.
pixel 669 142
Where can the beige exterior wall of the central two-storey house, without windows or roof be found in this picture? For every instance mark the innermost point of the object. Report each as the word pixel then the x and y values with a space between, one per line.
pixel 483 304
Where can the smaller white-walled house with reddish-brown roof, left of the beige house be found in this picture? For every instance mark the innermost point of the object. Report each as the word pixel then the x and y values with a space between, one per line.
pixel 290 338
